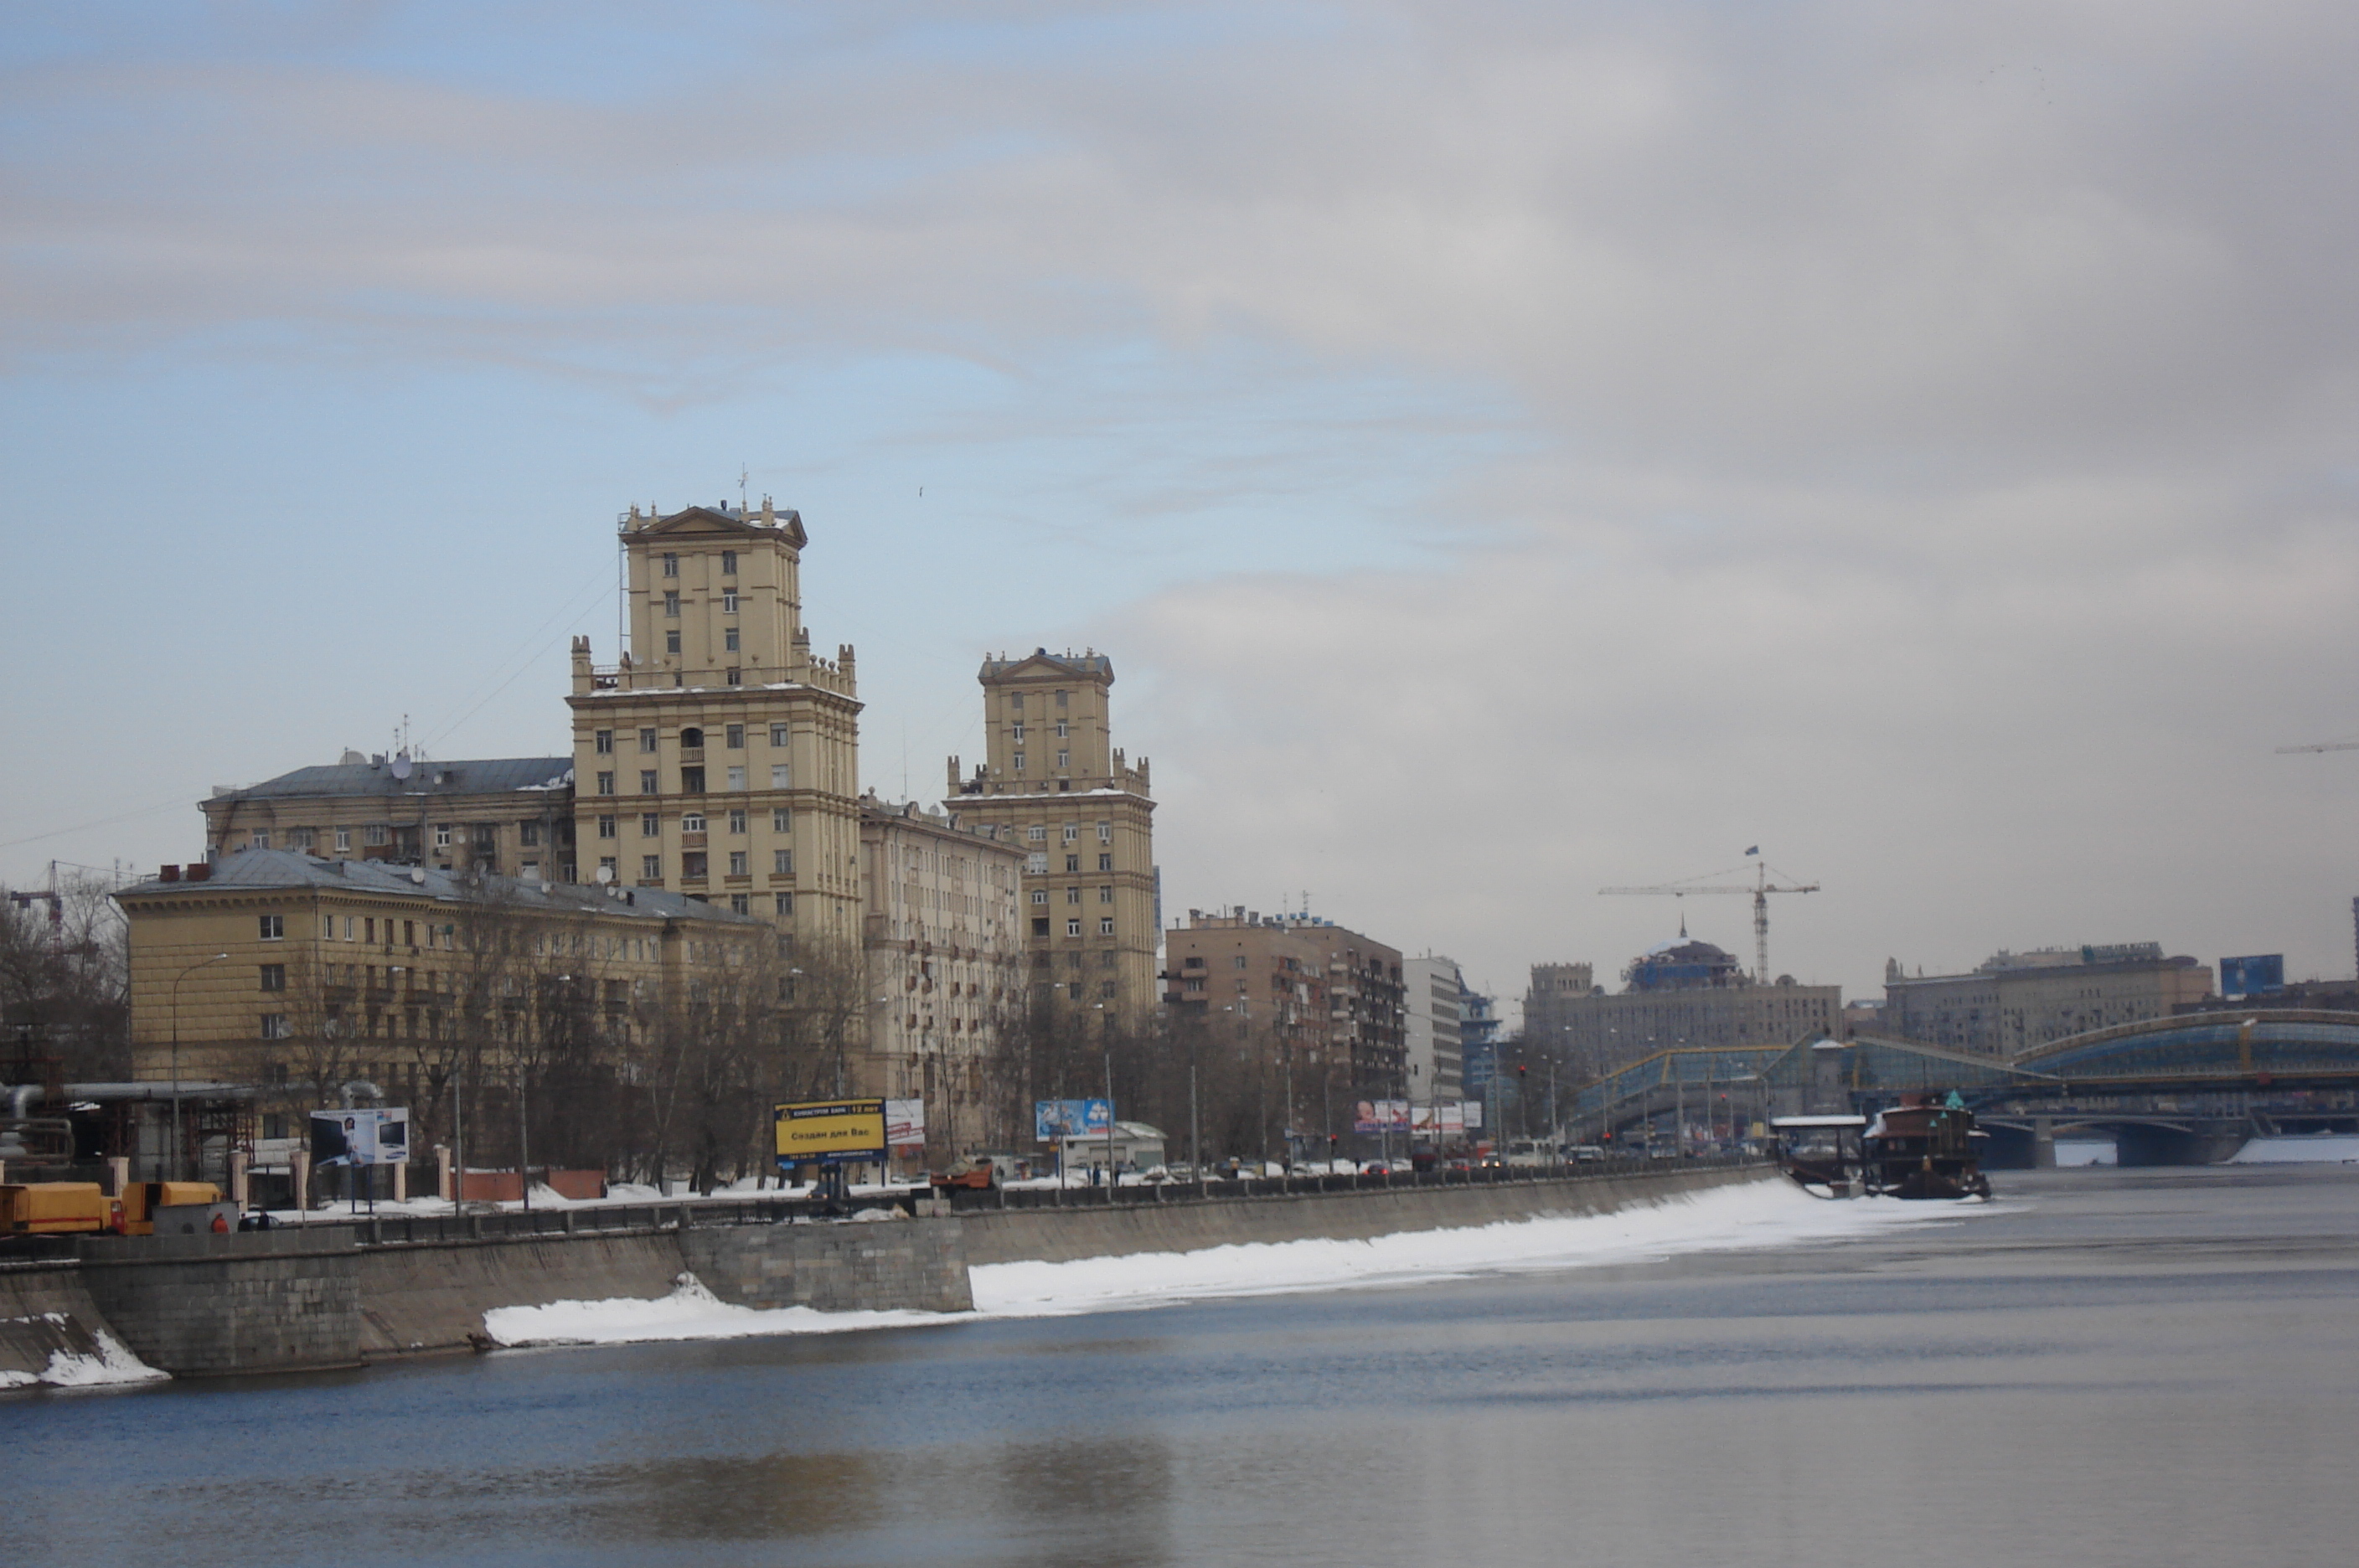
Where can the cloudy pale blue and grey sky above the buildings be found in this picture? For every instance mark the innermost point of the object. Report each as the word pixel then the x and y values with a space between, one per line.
pixel 1506 449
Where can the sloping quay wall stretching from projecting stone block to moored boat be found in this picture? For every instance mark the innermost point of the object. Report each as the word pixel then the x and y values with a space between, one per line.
pixel 1188 1225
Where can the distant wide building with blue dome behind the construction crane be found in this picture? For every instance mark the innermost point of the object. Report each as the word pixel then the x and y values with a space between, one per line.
pixel 1683 994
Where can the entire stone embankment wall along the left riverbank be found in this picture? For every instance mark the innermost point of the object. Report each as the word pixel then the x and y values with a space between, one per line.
pixel 339 1296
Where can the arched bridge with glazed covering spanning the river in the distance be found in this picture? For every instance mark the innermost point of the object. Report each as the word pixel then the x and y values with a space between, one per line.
pixel 2169 1091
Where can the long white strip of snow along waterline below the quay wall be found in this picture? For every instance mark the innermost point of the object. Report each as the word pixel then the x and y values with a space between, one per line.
pixel 1719 1220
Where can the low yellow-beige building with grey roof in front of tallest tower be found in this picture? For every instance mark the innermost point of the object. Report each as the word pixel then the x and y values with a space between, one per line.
pixel 296 975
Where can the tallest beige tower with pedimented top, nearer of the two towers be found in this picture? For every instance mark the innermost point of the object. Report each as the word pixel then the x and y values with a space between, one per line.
pixel 718 756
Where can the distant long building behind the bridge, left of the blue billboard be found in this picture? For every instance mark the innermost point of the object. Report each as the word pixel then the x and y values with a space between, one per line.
pixel 2020 1001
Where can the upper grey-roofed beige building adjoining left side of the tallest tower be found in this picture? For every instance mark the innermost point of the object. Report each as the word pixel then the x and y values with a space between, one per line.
pixel 501 815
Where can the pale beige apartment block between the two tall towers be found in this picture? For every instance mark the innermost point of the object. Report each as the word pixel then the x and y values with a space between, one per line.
pixel 945 968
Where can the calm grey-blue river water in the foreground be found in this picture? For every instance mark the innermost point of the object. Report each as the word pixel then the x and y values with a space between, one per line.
pixel 2108 1366
